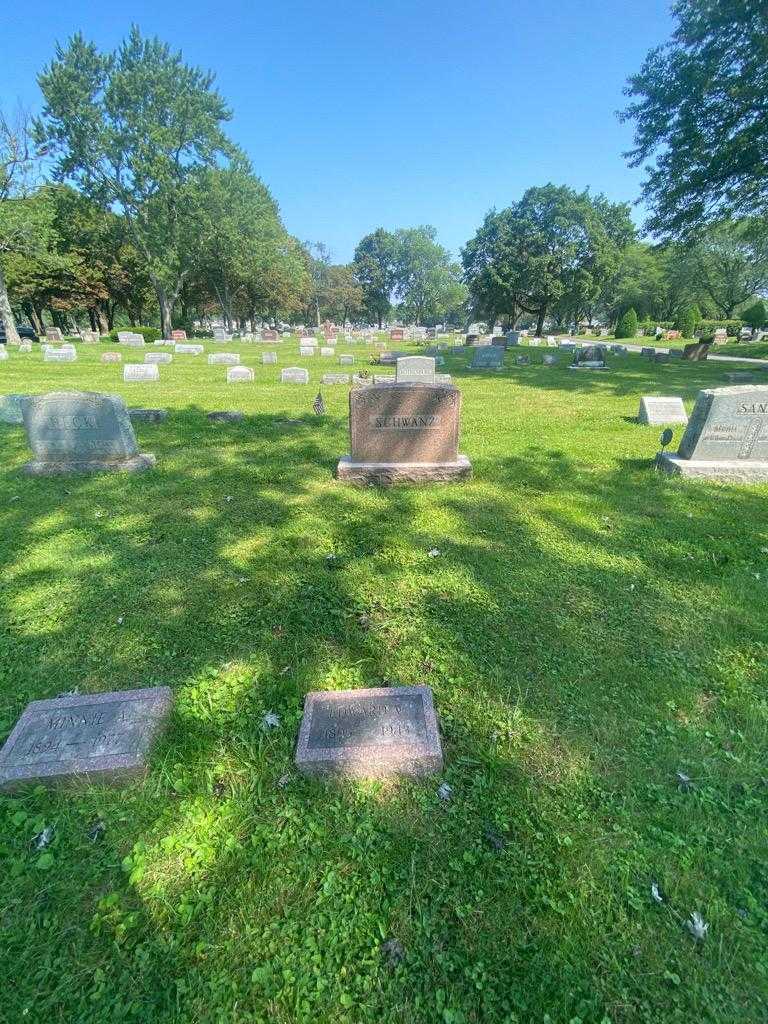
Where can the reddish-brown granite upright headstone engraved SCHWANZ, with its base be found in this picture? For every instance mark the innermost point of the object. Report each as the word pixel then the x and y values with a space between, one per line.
pixel 404 434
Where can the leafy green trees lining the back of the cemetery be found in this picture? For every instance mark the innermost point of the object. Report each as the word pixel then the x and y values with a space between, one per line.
pixel 125 199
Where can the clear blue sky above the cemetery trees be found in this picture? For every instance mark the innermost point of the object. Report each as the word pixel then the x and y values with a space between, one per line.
pixel 361 115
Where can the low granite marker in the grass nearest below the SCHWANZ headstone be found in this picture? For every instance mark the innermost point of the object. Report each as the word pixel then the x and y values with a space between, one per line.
pixel 370 734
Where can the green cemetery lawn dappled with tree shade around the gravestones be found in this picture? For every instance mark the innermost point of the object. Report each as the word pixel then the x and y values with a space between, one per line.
pixel 595 636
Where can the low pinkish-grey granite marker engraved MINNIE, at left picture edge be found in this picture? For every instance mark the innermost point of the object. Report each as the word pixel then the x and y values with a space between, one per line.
pixel 100 737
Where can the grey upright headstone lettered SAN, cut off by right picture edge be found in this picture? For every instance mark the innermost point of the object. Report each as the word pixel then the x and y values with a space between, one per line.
pixel 727 438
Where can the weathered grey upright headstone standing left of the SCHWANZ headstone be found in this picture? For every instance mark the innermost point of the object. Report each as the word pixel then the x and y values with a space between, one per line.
pixel 80 433
